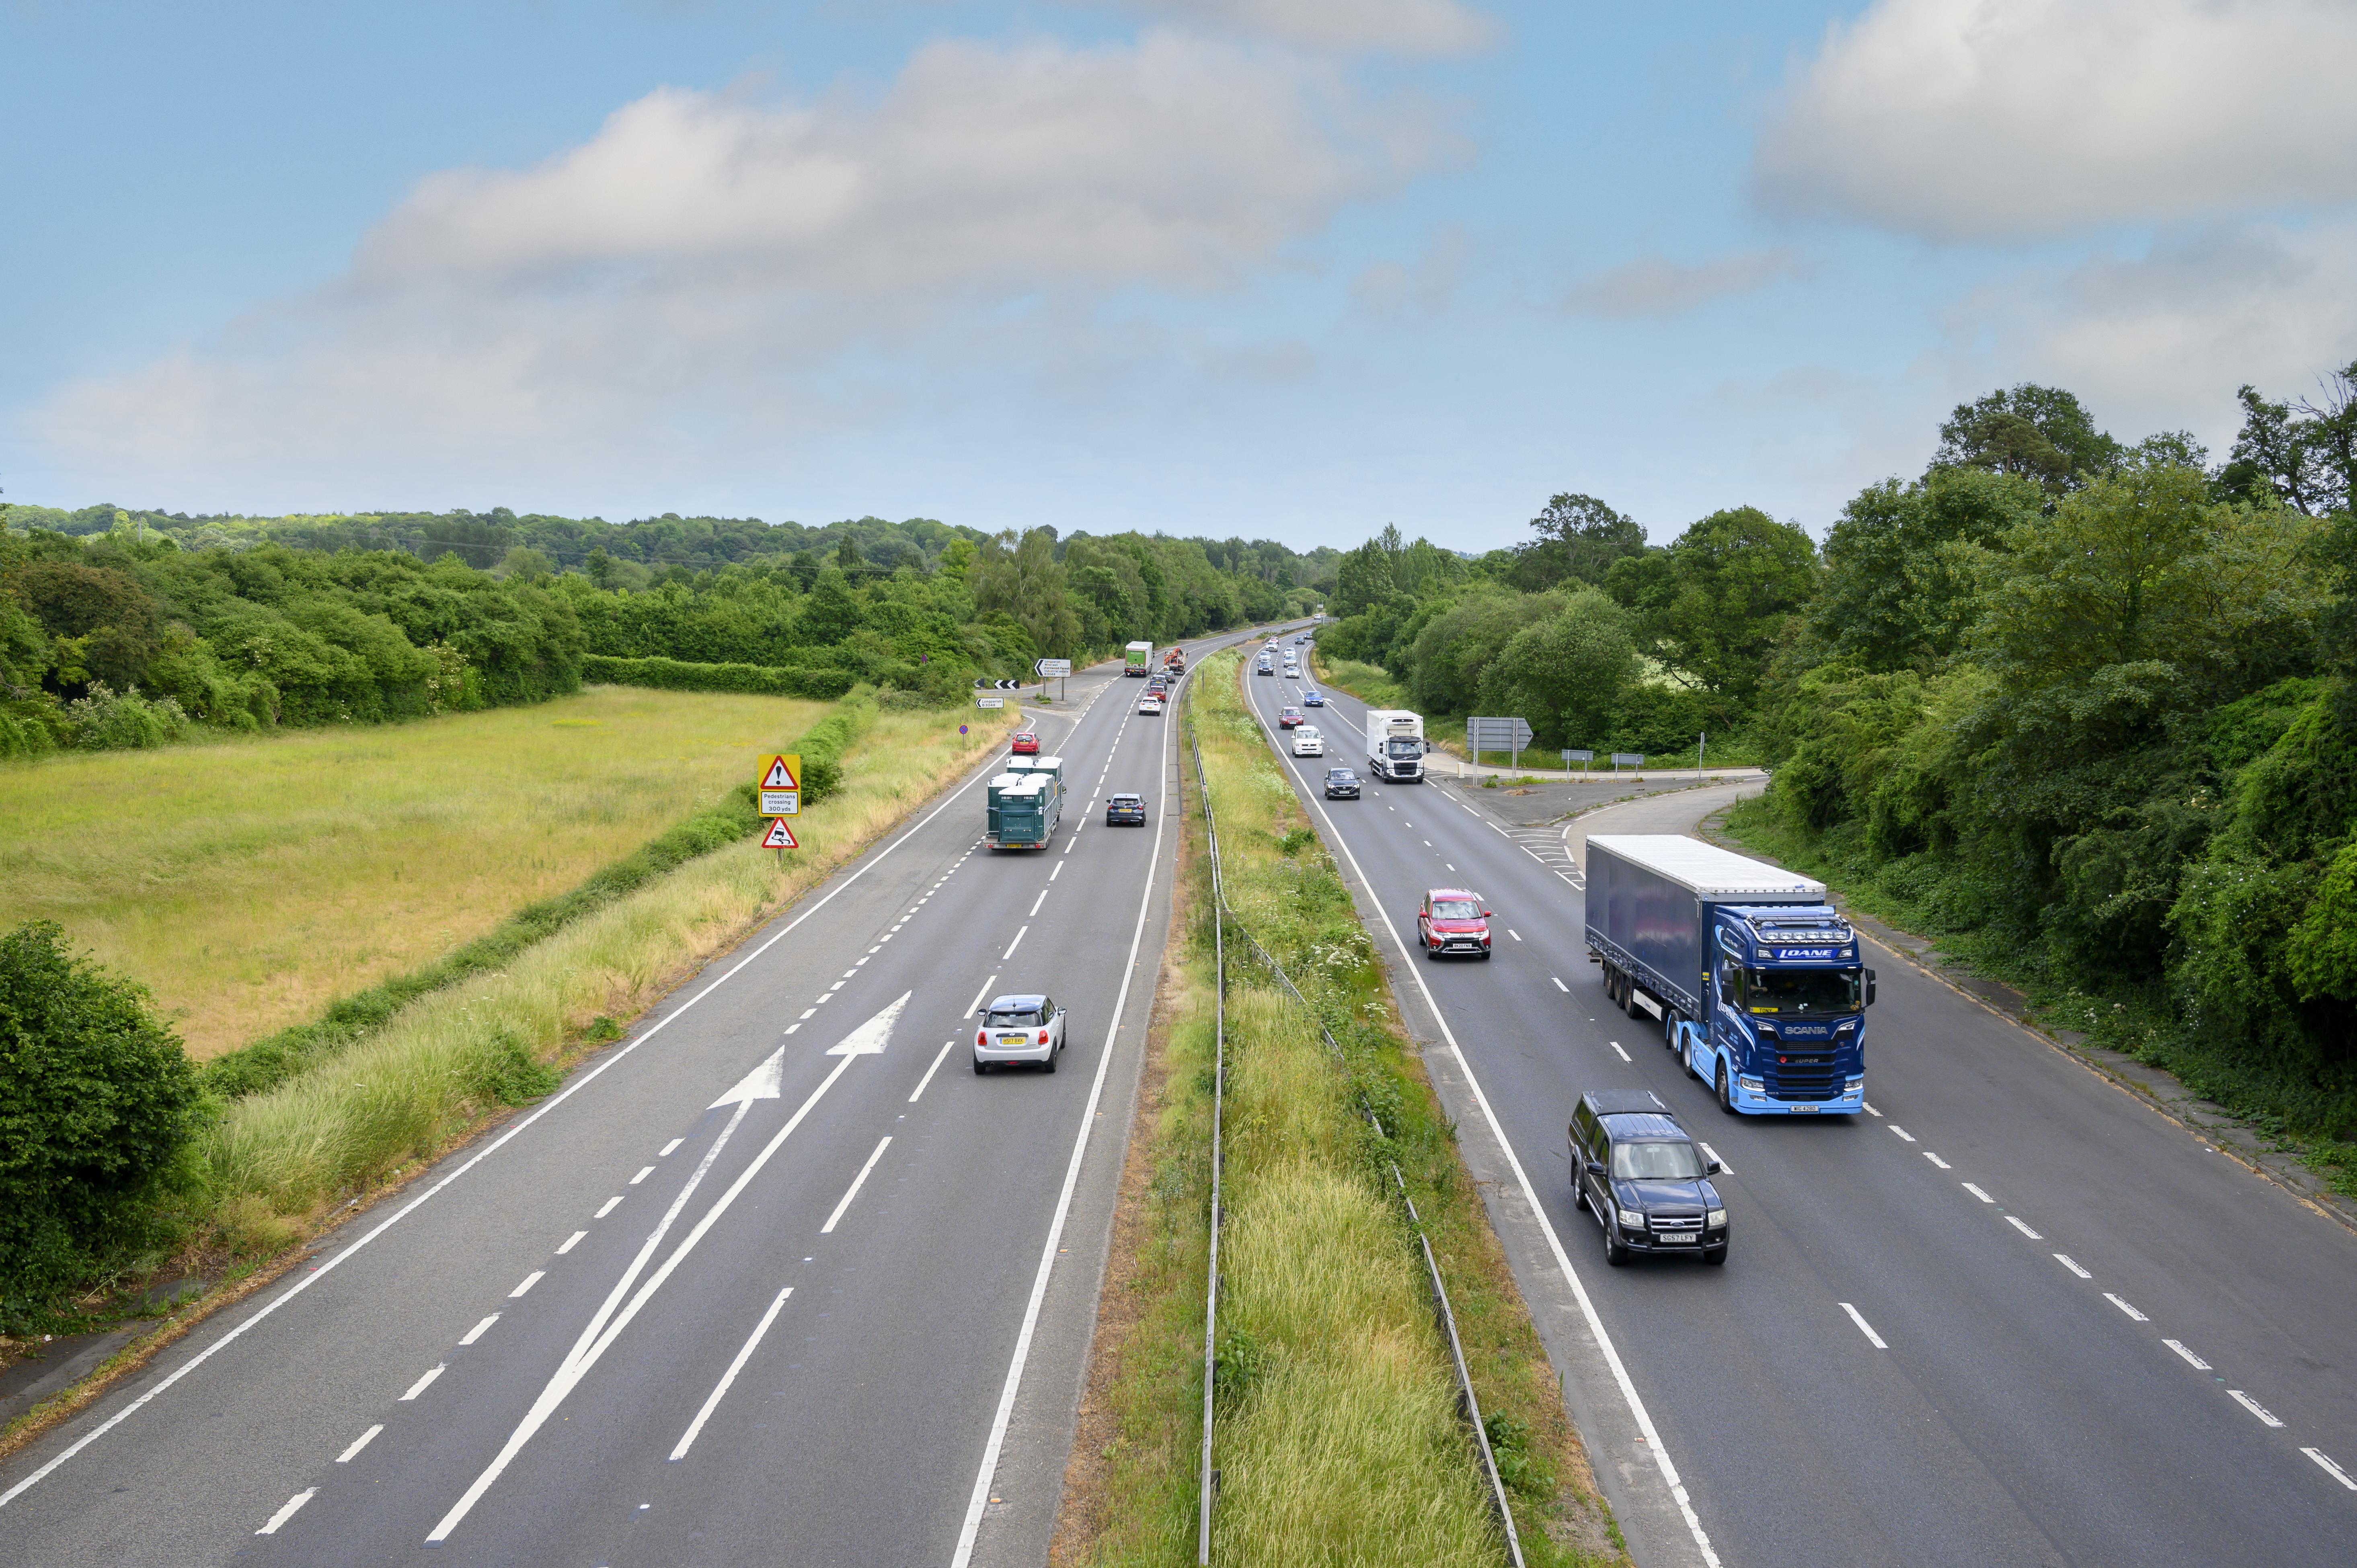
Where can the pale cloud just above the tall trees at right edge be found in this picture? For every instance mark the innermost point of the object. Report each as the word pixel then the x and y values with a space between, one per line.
pixel 2165 338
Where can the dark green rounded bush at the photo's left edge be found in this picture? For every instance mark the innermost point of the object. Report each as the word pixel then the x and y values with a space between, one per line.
pixel 98 1105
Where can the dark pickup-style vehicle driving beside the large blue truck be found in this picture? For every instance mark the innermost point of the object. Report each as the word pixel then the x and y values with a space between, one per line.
pixel 1644 1180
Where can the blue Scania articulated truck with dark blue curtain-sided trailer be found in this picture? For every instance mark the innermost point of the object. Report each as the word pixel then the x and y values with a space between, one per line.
pixel 1755 977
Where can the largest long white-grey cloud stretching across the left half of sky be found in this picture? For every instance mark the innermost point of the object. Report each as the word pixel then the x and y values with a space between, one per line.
pixel 718 277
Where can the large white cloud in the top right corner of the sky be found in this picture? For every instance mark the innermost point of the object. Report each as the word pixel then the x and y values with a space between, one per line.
pixel 2007 119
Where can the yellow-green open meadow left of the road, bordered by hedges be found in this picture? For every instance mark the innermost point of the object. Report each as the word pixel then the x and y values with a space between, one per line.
pixel 251 883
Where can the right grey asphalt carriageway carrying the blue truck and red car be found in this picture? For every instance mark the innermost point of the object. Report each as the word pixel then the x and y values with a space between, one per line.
pixel 2012 1317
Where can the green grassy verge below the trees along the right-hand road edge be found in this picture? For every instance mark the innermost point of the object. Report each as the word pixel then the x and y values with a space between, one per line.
pixel 2132 1020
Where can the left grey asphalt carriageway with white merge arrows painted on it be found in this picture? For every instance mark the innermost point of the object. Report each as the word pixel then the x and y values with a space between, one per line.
pixel 774 1279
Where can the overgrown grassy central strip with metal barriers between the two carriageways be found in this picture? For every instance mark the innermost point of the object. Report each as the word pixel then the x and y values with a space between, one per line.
pixel 1338 1435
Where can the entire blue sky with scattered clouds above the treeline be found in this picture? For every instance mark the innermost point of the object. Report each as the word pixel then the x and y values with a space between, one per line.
pixel 1269 268
